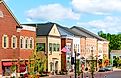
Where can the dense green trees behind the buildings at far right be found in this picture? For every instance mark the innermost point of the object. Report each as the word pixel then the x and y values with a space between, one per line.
pixel 114 40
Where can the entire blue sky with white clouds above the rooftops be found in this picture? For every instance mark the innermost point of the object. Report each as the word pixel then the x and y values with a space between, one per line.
pixel 93 15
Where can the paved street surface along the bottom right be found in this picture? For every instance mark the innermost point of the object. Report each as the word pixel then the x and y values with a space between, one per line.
pixel 108 74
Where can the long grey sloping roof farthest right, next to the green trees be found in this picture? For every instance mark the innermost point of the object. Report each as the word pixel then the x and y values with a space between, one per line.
pixel 88 32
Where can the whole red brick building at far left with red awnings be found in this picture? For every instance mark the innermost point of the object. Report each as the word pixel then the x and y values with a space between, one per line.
pixel 16 43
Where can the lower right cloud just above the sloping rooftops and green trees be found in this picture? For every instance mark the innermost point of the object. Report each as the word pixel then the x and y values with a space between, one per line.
pixel 109 24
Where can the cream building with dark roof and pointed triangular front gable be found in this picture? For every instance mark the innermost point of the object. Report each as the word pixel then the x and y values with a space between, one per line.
pixel 48 36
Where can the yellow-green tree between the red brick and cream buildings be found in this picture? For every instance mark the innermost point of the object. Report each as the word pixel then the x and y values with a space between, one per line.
pixel 37 63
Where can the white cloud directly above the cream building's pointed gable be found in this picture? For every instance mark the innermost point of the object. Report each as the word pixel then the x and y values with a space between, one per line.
pixel 52 12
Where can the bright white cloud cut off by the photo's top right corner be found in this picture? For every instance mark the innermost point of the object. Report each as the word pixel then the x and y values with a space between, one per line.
pixel 97 6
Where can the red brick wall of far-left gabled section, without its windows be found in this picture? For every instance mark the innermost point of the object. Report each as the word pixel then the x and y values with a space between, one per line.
pixel 8 27
